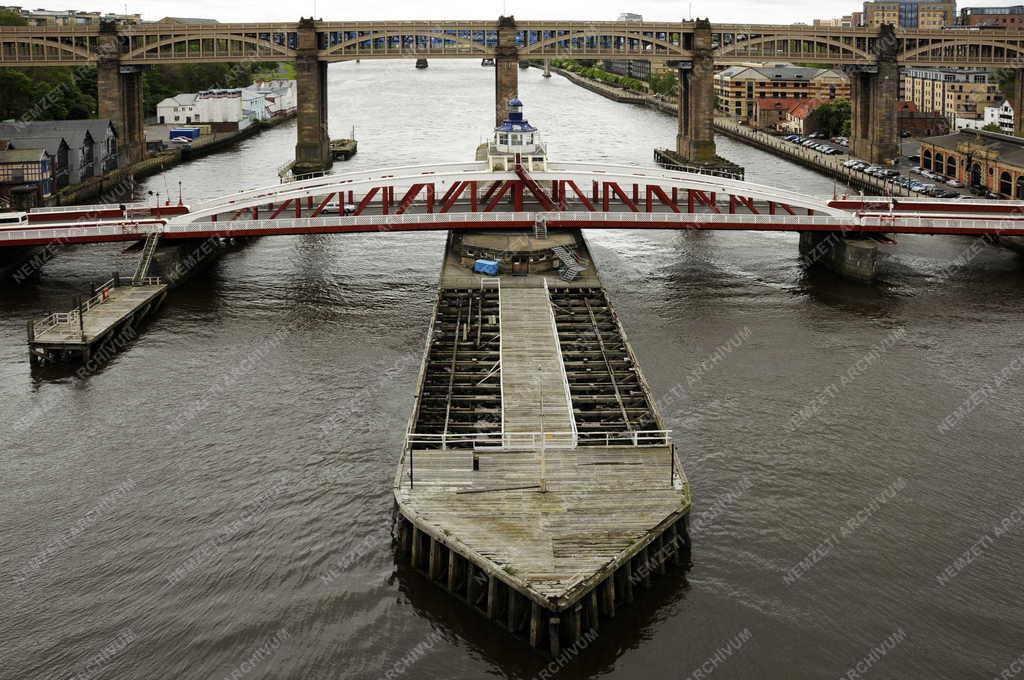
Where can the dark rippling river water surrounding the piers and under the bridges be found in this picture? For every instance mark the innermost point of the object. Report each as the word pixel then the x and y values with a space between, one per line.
pixel 173 516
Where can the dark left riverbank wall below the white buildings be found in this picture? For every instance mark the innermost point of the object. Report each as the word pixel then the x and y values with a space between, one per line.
pixel 117 187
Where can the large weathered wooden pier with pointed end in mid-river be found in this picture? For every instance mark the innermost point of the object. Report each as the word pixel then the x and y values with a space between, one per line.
pixel 538 484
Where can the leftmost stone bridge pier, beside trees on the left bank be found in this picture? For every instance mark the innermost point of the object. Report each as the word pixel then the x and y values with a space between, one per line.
pixel 119 92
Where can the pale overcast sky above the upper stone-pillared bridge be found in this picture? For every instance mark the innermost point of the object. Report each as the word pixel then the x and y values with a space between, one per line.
pixel 763 12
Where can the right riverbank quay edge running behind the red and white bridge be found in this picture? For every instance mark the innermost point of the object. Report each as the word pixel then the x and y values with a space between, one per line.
pixel 831 166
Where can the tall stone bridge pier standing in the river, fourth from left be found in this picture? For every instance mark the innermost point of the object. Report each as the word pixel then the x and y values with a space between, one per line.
pixel 696 140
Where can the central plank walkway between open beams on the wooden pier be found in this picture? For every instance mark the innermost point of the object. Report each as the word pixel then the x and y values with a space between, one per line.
pixel 534 390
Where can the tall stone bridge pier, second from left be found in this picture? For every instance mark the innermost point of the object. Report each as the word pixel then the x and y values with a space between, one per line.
pixel 313 149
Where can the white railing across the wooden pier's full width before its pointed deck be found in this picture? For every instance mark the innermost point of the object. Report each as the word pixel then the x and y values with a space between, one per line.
pixel 635 439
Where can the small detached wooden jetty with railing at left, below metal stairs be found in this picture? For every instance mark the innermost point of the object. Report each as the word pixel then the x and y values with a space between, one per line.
pixel 78 335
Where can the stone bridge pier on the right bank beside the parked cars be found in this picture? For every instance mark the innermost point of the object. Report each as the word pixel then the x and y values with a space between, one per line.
pixel 874 95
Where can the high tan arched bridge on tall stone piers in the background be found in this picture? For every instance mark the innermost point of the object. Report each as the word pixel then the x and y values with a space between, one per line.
pixel 872 57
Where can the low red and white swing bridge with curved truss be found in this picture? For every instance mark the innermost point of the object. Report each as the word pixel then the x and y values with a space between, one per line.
pixel 468 196
